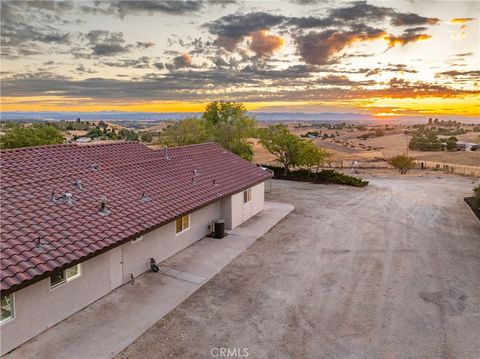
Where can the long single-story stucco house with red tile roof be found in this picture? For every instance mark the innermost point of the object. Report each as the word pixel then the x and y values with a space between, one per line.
pixel 79 221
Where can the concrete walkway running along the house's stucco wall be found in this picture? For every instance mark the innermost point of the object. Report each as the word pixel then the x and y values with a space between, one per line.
pixel 107 326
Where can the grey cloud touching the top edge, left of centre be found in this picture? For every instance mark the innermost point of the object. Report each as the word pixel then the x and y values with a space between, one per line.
pixel 125 8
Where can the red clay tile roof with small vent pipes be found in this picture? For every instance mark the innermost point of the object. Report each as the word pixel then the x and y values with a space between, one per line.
pixel 71 231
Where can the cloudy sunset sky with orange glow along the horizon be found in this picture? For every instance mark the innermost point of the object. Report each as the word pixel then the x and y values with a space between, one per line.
pixel 387 58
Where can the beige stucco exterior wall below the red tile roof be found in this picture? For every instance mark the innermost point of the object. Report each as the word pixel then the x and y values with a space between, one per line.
pixel 37 307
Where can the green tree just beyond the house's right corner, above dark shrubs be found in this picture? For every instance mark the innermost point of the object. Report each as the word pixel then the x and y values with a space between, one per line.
pixel 289 149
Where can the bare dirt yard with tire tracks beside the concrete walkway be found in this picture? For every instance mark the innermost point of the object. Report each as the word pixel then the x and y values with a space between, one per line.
pixel 387 271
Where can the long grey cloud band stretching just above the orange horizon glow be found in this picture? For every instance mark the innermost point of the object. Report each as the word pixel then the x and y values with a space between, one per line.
pixel 185 85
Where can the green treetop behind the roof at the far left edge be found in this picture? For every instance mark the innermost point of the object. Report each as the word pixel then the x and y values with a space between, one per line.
pixel 33 135
